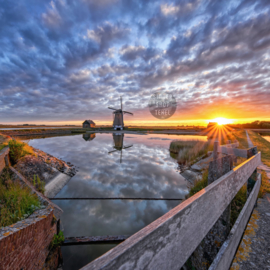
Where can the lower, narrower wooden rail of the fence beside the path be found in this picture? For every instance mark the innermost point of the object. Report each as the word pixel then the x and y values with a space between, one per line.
pixel 226 254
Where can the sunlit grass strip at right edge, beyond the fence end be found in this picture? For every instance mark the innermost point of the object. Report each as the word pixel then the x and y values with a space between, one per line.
pixel 262 145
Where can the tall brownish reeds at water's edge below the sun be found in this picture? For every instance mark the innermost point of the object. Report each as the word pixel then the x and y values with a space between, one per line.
pixel 189 151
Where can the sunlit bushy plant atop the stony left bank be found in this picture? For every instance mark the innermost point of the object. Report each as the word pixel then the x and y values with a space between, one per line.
pixel 18 150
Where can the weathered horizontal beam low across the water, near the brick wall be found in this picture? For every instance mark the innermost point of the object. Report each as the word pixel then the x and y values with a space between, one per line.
pixel 90 240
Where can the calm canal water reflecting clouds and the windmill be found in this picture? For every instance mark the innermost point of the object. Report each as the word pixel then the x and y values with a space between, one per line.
pixel 129 166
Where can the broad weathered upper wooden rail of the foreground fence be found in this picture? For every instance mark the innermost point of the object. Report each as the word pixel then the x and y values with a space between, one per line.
pixel 168 242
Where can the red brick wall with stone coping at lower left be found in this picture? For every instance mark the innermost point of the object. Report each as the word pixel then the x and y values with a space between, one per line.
pixel 25 244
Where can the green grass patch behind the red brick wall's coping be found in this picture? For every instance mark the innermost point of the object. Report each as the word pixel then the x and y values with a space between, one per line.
pixel 16 202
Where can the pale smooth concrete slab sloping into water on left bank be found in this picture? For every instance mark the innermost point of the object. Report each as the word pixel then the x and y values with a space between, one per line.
pixel 56 184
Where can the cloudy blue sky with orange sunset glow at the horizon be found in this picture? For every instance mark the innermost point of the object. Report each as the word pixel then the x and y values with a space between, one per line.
pixel 65 61
